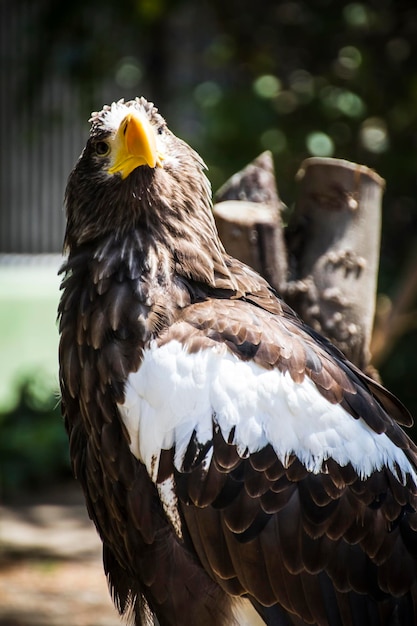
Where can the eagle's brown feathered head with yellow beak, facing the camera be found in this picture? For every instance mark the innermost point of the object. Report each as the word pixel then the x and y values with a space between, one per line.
pixel 134 173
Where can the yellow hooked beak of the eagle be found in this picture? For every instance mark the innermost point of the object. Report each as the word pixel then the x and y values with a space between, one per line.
pixel 134 145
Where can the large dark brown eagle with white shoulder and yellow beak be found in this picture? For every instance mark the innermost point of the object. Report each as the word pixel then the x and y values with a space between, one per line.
pixel 238 469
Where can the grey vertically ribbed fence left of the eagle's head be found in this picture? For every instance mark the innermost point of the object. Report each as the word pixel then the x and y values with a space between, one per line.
pixel 41 136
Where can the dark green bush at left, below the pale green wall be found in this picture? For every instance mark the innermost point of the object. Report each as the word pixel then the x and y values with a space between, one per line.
pixel 33 442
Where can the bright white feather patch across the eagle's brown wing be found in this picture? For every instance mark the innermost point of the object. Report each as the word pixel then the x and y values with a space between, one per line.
pixel 175 393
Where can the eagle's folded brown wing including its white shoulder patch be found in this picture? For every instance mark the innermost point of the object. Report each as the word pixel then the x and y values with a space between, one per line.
pixel 281 462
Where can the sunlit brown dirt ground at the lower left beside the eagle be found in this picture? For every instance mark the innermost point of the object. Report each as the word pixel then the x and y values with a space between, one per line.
pixel 50 564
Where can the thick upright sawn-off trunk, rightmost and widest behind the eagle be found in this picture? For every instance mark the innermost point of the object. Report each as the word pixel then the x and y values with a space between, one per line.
pixel 333 243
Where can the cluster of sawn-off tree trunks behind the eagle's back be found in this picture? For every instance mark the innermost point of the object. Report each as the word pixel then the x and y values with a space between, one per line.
pixel 331 246
